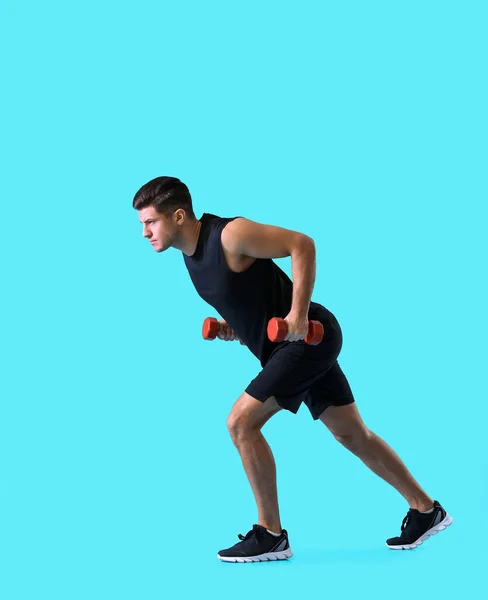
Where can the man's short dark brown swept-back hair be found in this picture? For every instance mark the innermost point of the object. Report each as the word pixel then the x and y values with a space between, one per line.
pixel 166 194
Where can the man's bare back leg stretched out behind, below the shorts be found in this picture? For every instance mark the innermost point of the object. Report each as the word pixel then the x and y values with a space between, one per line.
pixel 346 425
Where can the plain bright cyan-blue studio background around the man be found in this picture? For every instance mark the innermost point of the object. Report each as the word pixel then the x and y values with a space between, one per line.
pixel 361 124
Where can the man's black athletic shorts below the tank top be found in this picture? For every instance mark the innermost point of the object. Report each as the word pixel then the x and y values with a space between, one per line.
pixel 297 372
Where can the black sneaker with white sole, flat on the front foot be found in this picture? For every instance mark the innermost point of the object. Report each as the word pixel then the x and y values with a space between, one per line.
pixel 258 546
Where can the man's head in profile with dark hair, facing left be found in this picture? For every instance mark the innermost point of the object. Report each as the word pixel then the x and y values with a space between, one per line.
pixel 164 206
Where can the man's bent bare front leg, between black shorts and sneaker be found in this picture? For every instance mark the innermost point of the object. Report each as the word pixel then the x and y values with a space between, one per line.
pixel 245 421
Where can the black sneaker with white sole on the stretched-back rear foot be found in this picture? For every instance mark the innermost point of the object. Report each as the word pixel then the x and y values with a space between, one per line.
pixel 417 527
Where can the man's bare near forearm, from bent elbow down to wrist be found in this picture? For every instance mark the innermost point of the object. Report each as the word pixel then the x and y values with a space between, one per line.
pixel 303 274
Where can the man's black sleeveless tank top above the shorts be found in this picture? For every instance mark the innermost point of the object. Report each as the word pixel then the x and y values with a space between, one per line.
pixel 247 300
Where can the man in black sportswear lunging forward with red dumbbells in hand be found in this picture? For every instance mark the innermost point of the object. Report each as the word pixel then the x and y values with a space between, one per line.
pixel 230 263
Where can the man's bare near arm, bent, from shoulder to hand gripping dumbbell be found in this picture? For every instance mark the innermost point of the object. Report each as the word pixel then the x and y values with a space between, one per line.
pixel 248 238
